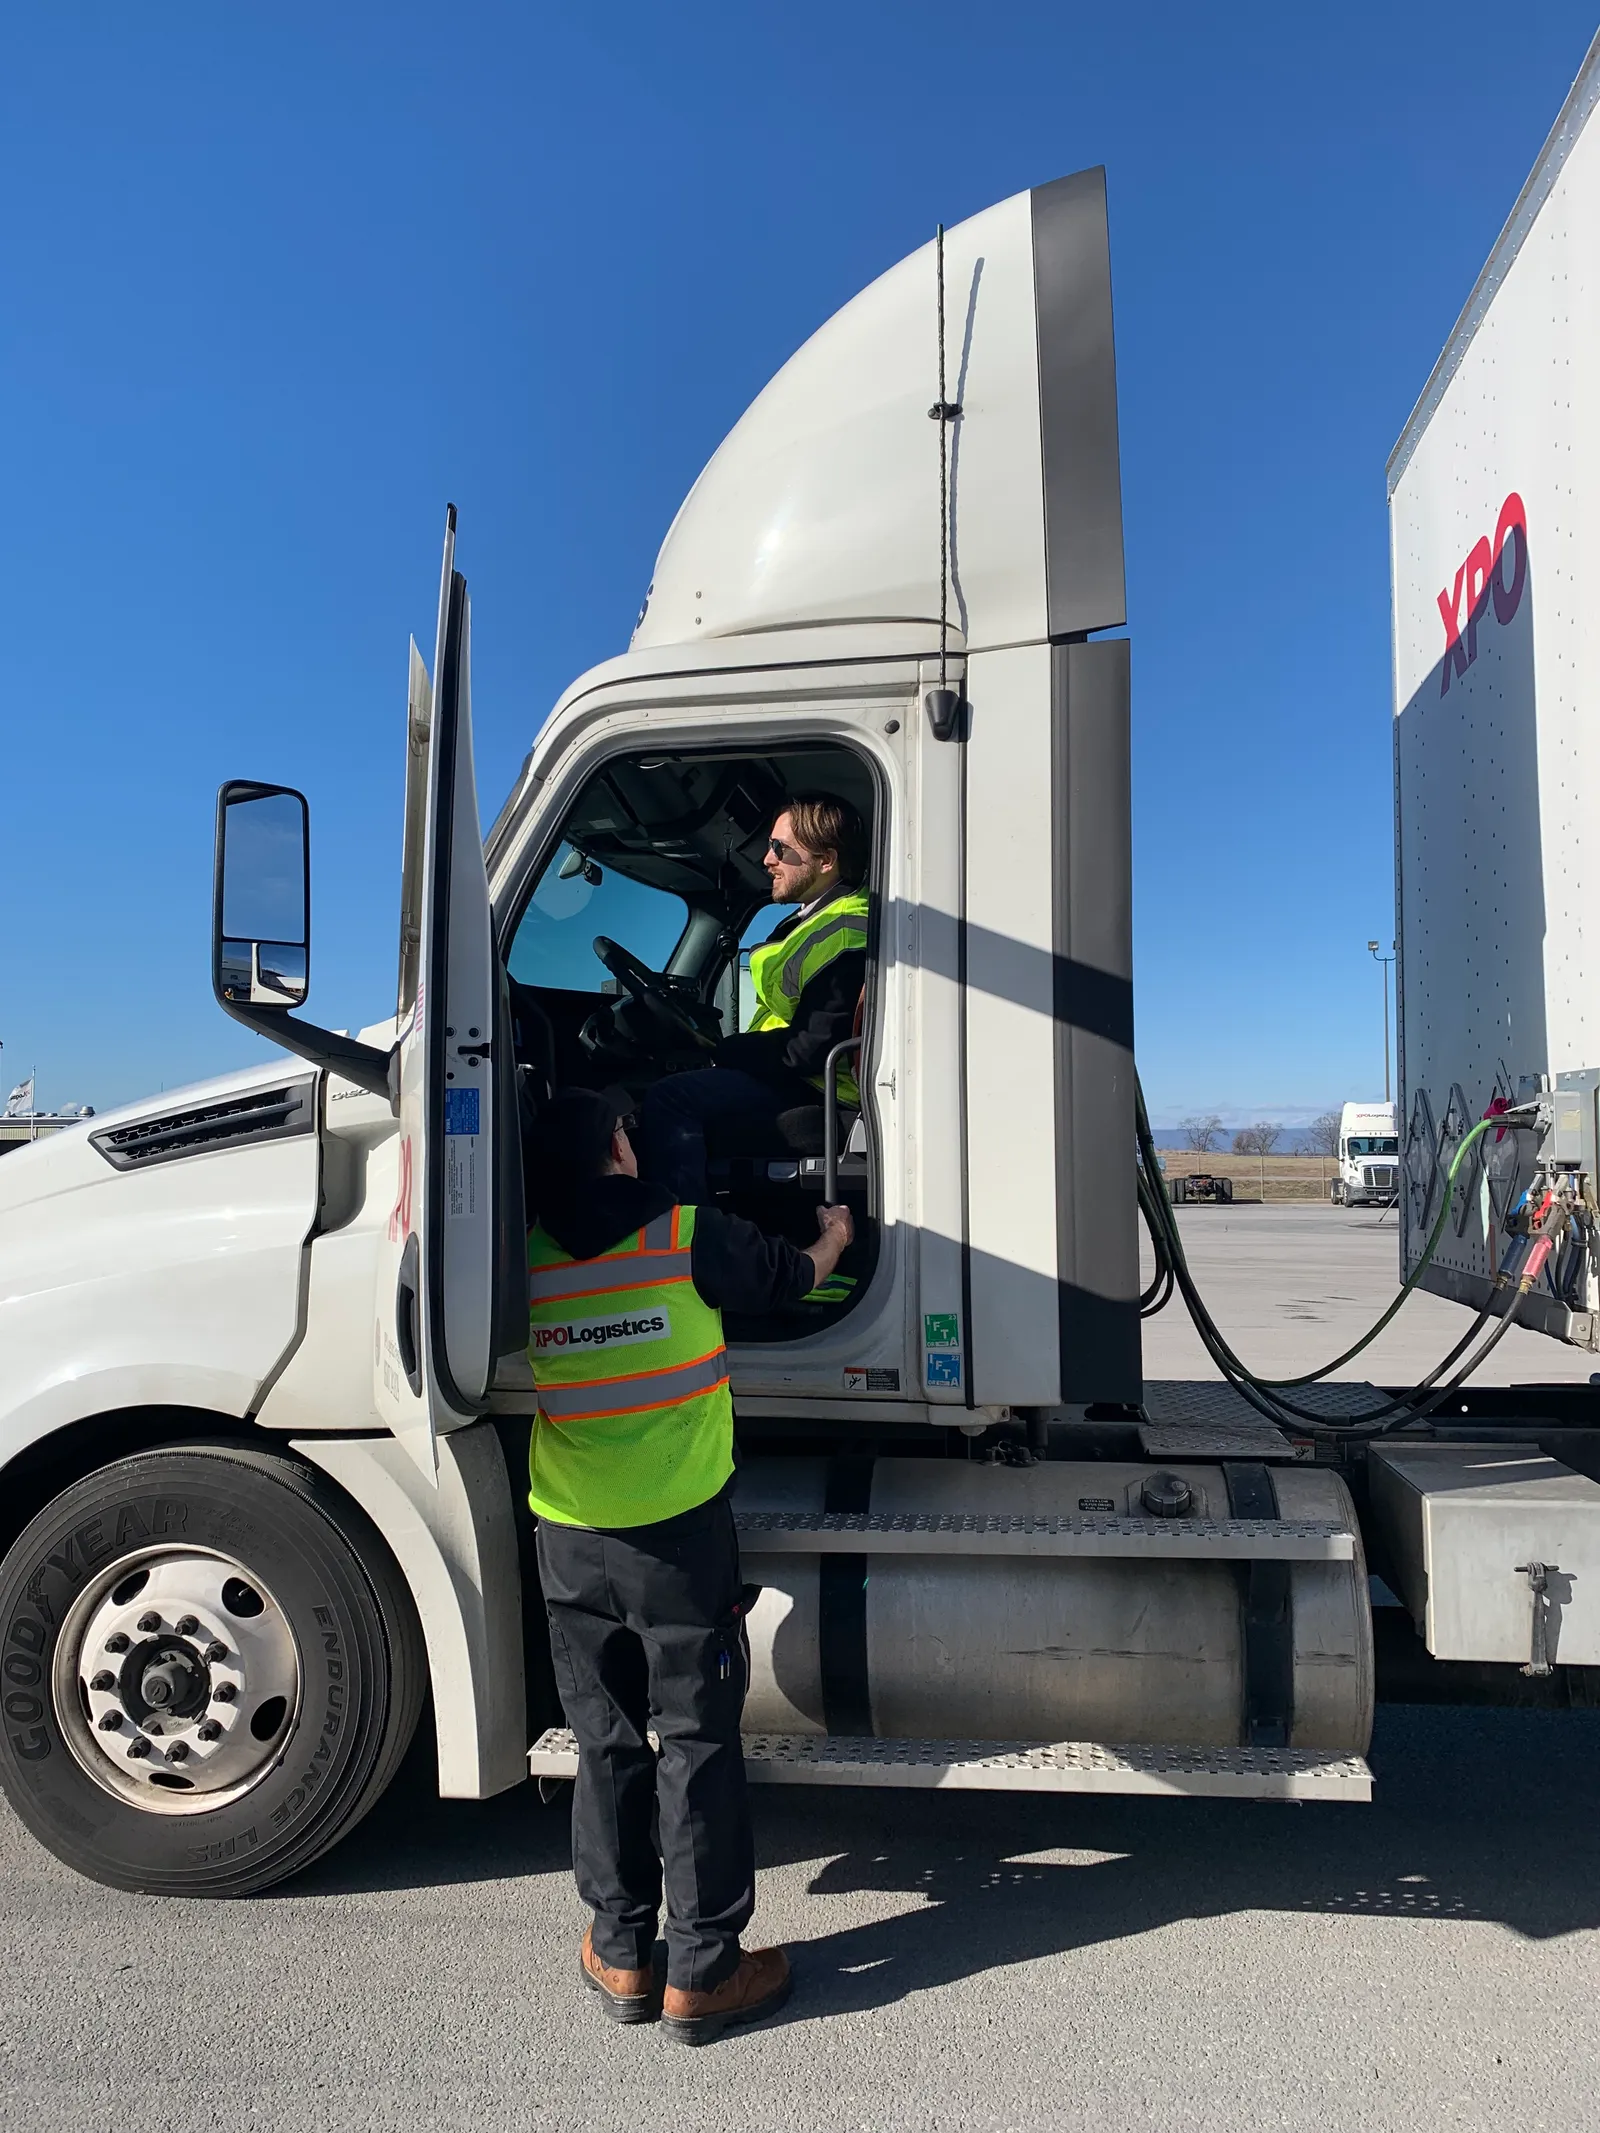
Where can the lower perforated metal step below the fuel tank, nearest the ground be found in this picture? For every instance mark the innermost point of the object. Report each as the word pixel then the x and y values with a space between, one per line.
pixel 1198 1774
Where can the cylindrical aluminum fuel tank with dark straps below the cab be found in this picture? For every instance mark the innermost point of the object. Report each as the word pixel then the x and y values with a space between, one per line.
pixel 1040 1648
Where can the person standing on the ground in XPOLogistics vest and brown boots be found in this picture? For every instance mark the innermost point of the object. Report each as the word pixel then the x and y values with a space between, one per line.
pixel 630 1469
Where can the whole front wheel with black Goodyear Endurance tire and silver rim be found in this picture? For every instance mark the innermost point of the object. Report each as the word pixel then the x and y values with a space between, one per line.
pixel 210 1669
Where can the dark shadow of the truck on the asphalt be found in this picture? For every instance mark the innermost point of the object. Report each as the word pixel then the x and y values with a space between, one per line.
pixel 1460 1829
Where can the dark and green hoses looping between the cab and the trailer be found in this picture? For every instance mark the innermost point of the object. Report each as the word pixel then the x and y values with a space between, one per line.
pixel 1268 1396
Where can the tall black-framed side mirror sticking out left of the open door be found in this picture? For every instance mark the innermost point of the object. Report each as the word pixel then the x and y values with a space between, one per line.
pixel 261 908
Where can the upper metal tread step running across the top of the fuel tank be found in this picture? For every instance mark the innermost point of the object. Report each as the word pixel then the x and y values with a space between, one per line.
pixel 921 1533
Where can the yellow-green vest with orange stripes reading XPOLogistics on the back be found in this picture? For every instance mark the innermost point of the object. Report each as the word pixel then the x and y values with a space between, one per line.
pixel 637 1422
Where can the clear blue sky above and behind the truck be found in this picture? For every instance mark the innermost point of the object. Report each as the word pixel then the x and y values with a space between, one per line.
pixel 281 283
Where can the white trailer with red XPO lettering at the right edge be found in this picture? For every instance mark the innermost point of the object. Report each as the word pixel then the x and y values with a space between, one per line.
pixel 1494 507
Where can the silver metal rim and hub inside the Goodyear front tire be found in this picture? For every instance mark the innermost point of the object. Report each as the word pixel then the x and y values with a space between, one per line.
pixel 178 1680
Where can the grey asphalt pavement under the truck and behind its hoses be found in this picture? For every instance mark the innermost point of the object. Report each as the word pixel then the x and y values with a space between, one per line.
pixel 965 1961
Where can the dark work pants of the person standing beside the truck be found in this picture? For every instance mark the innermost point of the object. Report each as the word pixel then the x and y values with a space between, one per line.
pixel 647 1631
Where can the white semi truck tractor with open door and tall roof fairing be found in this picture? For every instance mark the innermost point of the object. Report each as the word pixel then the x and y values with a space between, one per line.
pixel 263 1383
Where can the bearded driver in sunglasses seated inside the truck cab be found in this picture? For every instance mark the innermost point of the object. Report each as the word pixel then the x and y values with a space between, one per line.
pixel 807 989
